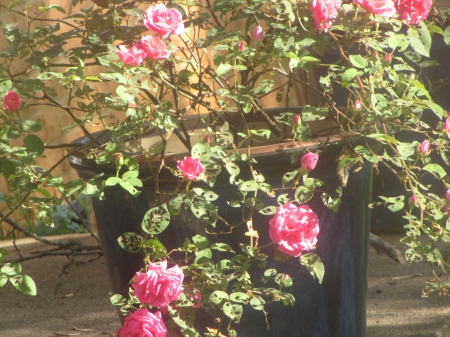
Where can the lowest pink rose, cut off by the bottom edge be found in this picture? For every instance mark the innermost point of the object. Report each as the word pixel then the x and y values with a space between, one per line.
pixel 143 323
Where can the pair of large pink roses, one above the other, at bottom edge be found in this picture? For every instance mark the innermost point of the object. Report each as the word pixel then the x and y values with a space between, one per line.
pixel 157 287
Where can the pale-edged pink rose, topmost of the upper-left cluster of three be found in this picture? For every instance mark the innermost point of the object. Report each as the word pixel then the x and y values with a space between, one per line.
pixel 164 21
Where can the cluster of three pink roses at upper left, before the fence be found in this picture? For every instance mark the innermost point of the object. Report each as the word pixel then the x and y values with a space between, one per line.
pixel 161 20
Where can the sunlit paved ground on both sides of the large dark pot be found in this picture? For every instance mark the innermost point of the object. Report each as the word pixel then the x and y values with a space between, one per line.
pixel 81 306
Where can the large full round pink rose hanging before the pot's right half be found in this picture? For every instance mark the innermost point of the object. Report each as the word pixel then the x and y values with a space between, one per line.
pixel 294 229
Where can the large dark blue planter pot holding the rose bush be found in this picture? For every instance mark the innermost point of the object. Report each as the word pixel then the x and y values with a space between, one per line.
pixel 334 308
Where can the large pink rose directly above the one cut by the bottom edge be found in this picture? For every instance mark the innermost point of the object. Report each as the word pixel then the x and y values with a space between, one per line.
pixel 158 286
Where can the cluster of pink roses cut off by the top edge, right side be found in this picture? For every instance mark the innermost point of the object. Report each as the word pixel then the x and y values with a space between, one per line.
pixel 412 11
